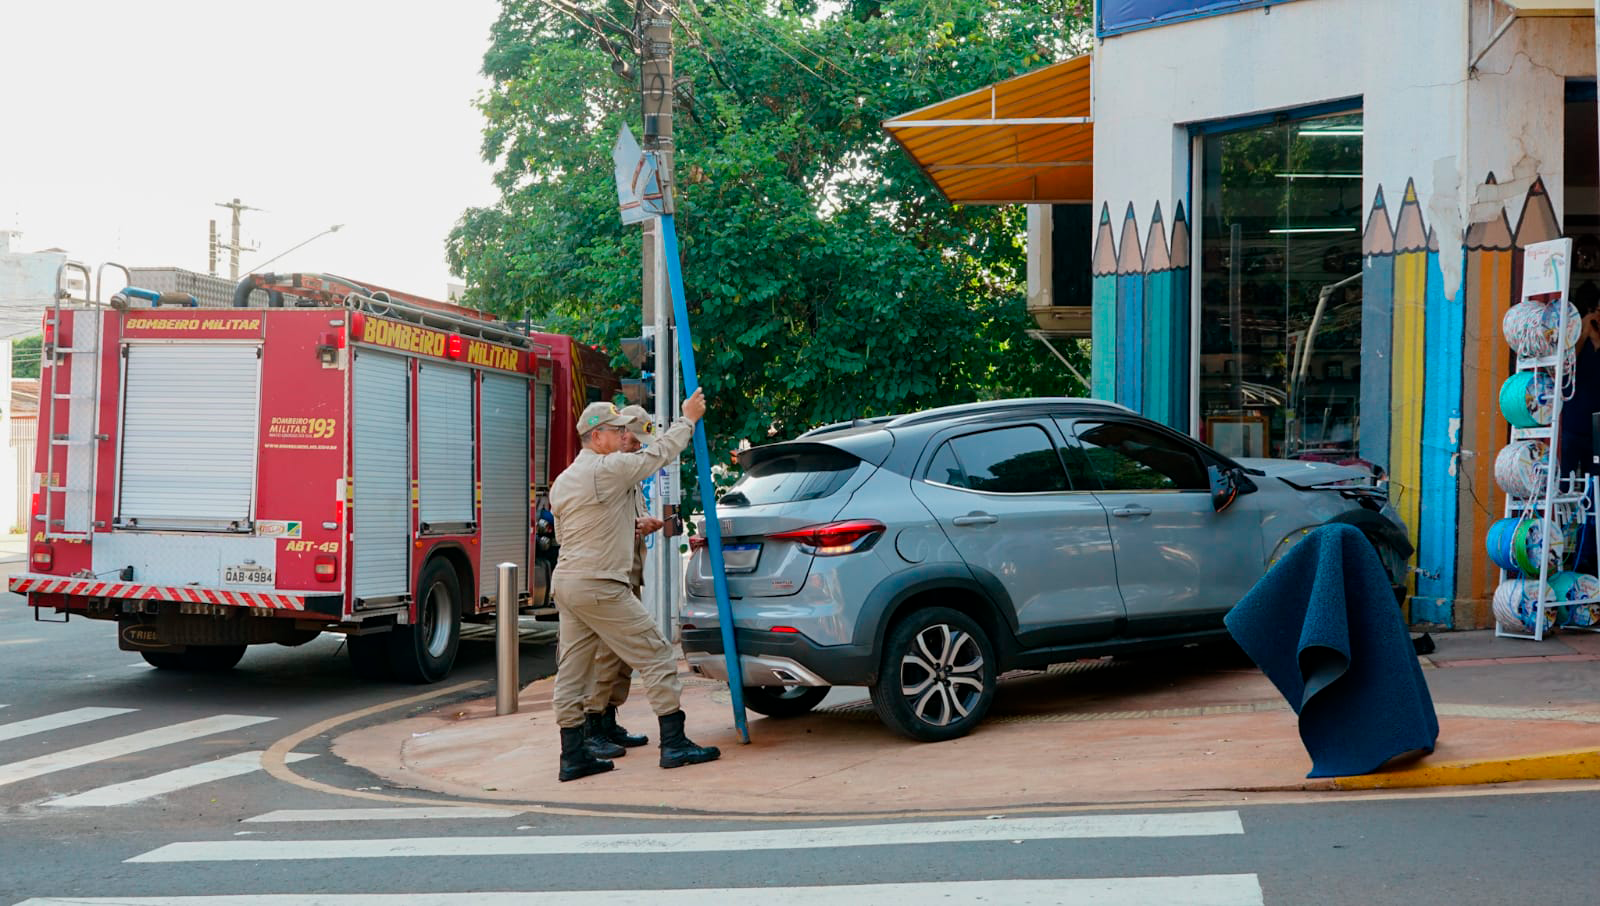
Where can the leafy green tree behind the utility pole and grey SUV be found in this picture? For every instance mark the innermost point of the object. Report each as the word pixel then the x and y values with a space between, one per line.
pixel 826 278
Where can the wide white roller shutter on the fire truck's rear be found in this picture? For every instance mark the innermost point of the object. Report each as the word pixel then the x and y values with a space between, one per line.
pixel 190 436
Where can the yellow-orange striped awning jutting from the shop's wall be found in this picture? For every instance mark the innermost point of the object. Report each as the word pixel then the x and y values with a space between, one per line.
pixel 1030 138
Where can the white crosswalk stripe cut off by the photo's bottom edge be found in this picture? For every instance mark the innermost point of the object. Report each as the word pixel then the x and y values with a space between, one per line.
pixel 1193 891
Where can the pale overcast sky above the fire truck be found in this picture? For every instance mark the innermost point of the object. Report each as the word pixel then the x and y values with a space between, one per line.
pixel 127 121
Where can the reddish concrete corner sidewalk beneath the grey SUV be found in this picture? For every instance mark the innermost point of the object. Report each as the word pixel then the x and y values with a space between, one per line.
pixel 1169 729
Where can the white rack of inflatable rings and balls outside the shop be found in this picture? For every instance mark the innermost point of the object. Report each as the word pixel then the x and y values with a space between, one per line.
pixel 1546 513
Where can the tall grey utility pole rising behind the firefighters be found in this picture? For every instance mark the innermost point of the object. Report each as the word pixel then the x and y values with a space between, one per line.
pixel 654 26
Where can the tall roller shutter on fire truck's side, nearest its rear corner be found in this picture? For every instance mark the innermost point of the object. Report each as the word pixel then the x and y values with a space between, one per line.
pixel 382 515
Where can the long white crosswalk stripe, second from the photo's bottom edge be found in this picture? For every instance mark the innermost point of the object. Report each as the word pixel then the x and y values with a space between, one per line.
pixel 1073 827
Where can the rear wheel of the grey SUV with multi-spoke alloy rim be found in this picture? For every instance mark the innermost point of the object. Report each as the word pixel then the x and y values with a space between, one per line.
pixel 937 678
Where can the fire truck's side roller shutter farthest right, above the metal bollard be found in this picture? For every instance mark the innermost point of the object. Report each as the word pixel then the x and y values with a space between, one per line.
pixel 506 531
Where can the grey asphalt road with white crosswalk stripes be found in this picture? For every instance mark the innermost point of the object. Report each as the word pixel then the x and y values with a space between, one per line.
pixel 87 817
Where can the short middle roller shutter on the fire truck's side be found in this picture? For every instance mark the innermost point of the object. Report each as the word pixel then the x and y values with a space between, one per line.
pixel 444 444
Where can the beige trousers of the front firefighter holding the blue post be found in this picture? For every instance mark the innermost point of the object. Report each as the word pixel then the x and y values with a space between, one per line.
pixel 606 614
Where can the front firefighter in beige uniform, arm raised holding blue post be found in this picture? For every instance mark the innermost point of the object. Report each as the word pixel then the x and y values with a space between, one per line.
pixel 593 502
